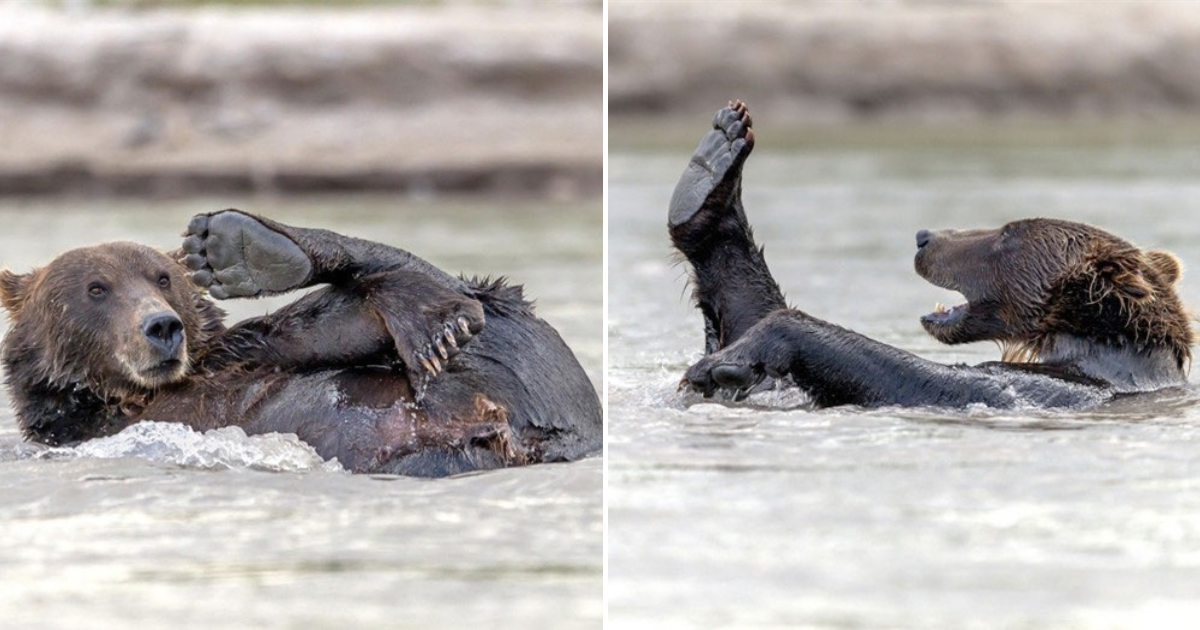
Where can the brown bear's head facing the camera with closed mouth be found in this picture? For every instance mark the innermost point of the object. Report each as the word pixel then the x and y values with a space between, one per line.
pixel 112 322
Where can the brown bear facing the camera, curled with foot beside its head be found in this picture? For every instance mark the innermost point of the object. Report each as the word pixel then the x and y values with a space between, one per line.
pixel 395 367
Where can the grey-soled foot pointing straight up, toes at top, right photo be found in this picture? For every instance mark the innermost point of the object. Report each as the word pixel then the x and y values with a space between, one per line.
pixel 712 178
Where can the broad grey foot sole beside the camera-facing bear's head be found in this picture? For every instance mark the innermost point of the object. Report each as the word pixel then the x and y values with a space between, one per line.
pixel 236 256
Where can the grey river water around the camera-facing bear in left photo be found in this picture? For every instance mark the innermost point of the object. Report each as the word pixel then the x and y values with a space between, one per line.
pixel 163 527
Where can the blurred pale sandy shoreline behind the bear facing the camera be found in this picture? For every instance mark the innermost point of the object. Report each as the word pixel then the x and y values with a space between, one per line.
pixel 295 100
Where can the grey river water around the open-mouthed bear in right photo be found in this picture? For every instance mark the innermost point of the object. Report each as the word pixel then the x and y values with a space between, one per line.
pixel 770 514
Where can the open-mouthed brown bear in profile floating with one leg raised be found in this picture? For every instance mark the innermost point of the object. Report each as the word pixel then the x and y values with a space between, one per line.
pixel 1082 315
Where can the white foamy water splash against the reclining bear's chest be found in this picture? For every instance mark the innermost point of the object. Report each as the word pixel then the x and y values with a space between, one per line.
pixel 221 448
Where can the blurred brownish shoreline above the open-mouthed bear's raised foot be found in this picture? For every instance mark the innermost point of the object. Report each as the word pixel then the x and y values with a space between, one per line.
pixel 916 61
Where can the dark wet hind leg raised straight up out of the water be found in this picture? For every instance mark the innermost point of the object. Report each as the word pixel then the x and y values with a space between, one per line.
pixel 735 289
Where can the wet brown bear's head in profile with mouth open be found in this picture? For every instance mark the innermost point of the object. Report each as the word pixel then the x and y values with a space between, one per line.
pixel 1055 291
